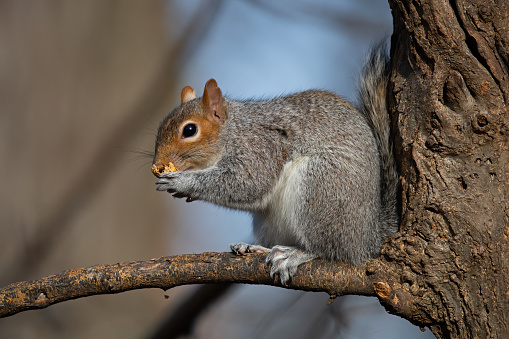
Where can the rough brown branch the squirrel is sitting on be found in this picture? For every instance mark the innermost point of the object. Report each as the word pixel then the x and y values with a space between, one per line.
pixel 334 278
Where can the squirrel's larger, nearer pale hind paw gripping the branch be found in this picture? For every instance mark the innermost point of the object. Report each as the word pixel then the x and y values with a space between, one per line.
pixel 285 260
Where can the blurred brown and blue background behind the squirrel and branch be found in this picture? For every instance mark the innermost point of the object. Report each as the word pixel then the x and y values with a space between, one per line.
pixel 83 86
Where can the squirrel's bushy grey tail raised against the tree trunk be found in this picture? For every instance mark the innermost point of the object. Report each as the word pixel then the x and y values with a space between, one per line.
pixel 371 103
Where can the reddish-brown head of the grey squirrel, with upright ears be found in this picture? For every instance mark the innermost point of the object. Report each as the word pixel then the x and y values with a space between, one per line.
pixel 188 136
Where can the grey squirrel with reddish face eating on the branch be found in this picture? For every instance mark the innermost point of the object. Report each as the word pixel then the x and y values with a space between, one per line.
pixel 316 172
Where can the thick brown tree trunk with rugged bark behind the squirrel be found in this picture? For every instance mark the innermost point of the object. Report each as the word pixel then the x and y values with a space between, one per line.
pixel 449 99
